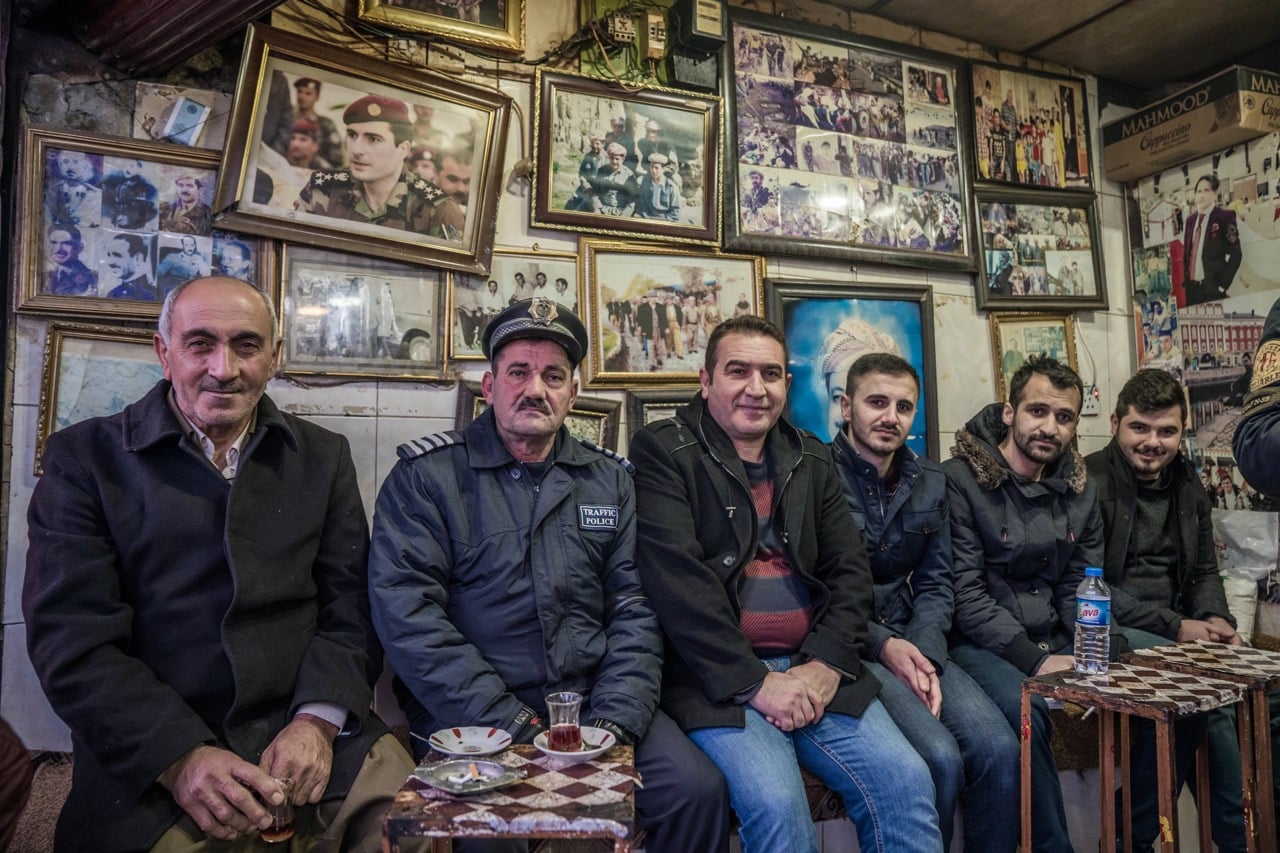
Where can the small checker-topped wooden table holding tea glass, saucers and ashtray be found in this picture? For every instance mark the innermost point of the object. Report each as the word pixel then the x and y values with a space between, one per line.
pixel 556 800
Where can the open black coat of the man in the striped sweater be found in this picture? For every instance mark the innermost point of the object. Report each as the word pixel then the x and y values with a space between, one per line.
pixel 698 530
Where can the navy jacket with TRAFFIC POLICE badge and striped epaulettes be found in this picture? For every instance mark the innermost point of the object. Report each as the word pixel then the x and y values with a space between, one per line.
pixel 458 522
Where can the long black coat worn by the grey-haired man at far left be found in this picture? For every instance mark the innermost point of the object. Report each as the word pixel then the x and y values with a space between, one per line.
pixel 168 608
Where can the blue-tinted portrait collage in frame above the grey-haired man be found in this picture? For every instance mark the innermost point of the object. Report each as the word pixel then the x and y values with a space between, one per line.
pixel 125 229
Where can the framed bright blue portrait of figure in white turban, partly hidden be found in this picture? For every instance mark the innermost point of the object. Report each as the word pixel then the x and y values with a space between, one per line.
pixel 830 326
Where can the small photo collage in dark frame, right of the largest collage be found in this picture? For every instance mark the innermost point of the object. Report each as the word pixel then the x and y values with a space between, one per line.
pixel 1037 250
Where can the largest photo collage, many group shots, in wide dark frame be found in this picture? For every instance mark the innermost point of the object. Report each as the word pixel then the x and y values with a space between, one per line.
pixel 845 145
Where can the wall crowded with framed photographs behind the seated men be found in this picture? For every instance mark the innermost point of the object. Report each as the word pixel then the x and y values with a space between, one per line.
pixel 871 225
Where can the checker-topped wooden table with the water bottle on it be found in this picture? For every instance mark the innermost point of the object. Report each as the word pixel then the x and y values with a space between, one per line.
pixel 1128 691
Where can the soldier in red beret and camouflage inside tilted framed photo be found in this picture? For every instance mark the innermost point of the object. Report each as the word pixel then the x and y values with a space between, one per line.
pixel 377 188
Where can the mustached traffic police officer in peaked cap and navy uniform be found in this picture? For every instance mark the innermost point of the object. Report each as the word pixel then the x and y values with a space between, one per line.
pixel 504 569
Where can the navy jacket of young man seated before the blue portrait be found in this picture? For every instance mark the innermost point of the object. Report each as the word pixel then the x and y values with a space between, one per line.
pixel 909 548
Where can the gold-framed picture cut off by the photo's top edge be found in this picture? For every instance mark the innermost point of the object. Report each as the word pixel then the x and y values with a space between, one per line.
pixel 488 24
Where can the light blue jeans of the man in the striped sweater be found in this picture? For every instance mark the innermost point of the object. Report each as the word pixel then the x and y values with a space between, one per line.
pixel 885 784
